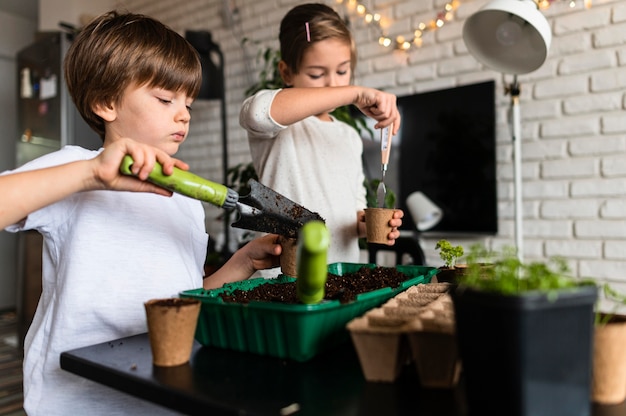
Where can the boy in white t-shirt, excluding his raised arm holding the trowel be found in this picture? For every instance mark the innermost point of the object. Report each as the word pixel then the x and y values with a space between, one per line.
pixel 105 253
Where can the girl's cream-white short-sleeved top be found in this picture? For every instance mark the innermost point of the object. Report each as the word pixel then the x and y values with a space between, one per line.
pixel 315 163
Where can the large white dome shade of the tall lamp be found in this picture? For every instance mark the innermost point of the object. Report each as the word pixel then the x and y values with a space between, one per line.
pixel 509 36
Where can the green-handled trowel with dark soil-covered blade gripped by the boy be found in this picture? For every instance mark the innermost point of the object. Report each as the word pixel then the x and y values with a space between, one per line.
pixel 263 210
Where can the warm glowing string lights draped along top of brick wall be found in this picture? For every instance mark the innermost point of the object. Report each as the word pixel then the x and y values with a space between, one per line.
pixel 445 15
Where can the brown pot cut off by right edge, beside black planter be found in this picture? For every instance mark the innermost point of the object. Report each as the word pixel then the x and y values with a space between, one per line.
pixel 609 362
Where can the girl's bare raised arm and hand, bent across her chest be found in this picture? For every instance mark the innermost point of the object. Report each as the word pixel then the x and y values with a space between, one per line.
pixel 294 104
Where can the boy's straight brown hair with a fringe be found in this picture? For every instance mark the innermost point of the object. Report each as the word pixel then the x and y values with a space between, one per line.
pixel 117 50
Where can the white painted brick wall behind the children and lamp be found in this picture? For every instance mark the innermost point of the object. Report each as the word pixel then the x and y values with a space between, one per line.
pixel 572 108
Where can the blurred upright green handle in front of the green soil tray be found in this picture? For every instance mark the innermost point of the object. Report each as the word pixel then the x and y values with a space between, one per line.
pixel 313 244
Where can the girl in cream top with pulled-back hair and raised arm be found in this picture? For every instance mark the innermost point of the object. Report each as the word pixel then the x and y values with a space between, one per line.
pixel 297 147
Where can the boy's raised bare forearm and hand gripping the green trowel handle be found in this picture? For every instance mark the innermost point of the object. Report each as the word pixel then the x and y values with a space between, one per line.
pixel 28 191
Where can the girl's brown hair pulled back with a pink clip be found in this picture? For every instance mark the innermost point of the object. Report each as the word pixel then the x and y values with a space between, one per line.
pixel 309 23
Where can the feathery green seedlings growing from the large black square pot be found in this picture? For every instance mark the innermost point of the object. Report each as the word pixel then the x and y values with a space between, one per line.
pixel 504 273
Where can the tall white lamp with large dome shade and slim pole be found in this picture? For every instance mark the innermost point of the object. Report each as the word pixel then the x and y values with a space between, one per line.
pixel 512 37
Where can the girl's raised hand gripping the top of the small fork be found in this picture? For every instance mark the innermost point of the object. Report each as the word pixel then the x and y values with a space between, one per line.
pixel 381 106
